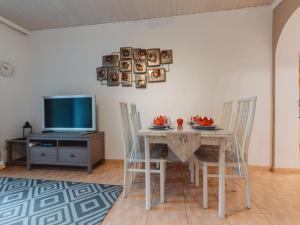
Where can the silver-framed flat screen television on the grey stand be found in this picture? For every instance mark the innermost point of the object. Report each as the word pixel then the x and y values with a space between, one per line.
pixel 69 113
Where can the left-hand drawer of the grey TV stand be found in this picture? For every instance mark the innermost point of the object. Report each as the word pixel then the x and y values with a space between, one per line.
pixel 43 154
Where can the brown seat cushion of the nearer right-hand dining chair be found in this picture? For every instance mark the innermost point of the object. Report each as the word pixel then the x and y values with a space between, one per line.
pixel 210 154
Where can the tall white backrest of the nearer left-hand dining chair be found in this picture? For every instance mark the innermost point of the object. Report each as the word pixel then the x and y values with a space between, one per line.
pixel 126 130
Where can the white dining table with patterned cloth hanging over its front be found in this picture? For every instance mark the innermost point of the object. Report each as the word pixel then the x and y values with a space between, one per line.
pixel 184 141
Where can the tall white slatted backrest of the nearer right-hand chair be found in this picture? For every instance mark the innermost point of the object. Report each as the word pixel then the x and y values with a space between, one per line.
pixel 243 127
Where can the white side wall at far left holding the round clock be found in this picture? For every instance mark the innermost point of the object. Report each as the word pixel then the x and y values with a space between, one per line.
pixel 14 91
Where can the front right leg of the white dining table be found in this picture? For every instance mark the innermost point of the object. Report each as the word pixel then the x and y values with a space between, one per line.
pixel 222 179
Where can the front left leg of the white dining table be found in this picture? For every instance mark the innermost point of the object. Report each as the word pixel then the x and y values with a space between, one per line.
pixel 148 174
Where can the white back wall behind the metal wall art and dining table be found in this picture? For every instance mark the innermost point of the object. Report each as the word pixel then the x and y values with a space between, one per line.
pixel 217 57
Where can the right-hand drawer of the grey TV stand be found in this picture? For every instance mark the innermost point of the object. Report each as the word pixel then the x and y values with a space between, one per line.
pixel 79 155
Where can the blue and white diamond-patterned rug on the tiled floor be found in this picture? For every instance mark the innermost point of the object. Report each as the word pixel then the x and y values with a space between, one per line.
pixel 47 202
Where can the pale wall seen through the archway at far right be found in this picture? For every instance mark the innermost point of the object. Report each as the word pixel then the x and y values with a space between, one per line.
pixel 287 95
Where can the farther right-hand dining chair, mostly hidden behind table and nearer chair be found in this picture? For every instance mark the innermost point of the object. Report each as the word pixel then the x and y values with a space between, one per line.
pixel 225 123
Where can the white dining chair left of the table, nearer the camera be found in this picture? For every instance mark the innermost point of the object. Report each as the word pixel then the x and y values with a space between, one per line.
pixel 134 155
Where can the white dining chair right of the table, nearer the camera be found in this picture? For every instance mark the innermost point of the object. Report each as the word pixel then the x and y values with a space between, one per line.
pixel 236 156
